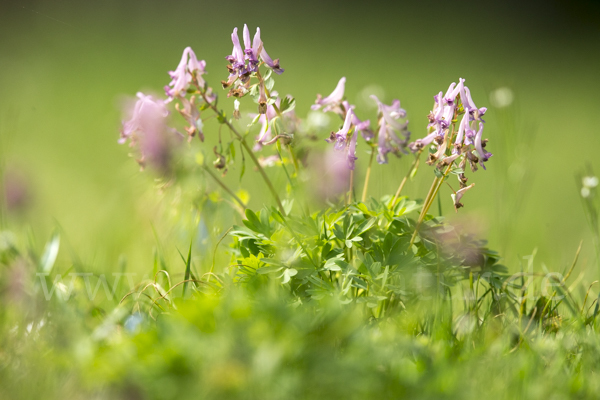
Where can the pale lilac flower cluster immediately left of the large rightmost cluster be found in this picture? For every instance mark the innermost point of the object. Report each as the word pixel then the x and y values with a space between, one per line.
pixel 389 128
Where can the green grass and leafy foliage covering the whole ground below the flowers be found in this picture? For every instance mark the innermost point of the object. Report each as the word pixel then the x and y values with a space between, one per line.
pixel 335 304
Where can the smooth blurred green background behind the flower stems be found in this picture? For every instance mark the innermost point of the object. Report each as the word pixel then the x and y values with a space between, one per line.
pixel 65 67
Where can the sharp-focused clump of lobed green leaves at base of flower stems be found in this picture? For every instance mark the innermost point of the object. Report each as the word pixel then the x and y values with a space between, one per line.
pixel 357 254
